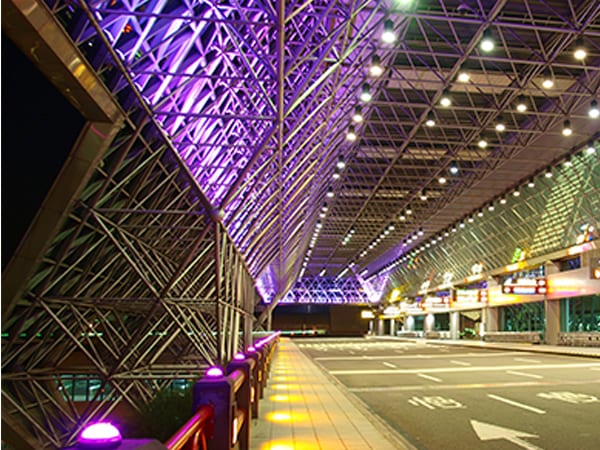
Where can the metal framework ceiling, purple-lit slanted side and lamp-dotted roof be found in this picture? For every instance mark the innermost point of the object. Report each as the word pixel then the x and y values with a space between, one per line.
pixel 257 98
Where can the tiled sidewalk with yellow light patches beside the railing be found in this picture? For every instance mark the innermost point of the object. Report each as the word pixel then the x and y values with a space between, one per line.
pixel 305 409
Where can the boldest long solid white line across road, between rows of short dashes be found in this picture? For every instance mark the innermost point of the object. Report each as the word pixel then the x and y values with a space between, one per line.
pixel 462 369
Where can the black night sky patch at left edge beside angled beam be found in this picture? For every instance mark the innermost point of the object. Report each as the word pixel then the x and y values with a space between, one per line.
pixel 39 128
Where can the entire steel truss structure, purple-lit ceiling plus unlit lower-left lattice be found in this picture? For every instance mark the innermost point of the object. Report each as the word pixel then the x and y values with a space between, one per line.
pixel 214 130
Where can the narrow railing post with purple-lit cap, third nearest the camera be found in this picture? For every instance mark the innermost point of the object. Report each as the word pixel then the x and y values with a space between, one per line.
pixel 244 395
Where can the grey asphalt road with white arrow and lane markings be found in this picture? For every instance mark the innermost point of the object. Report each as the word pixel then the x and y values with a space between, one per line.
pixel 449 397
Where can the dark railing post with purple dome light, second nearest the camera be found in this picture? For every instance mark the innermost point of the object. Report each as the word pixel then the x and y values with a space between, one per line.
pixel 217 390
